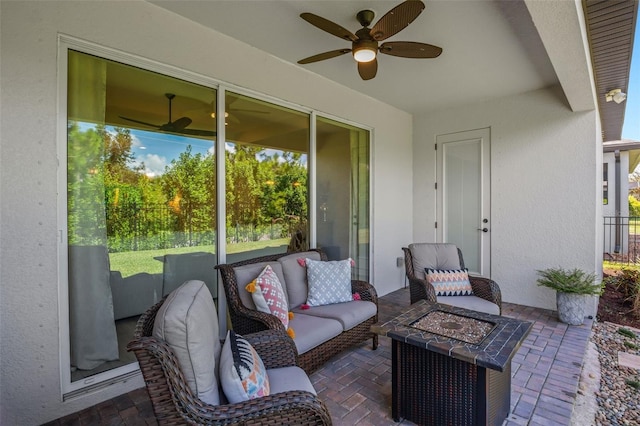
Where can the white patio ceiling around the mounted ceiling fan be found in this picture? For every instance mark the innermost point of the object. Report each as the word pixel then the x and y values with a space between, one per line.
pixel 490 48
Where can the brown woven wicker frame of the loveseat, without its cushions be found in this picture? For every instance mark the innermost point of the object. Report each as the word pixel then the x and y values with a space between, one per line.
pixel 247 320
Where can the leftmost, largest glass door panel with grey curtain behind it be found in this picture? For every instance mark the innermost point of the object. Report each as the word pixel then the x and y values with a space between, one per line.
pixel 141 215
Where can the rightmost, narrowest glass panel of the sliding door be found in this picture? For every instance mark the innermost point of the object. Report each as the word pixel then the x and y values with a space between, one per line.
pixel 342 176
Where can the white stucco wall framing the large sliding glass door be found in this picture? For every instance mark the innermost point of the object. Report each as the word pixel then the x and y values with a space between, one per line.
pixel 30 388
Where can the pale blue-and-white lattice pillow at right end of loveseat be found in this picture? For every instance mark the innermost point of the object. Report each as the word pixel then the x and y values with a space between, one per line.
pixel 329 282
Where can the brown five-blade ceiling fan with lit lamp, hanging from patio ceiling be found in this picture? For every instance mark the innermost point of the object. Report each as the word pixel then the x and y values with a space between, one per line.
pixel 365 42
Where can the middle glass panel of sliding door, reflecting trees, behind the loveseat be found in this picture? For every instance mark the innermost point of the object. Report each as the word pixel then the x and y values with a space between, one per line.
pixel 267 150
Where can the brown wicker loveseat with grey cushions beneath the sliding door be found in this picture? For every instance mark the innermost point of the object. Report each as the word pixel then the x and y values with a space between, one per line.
pixel 320 332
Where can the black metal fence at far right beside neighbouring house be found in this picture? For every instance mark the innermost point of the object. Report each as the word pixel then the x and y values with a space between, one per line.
pixel 622 239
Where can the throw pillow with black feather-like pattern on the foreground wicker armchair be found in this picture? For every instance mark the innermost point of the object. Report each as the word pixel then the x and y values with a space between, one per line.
pixel 242 372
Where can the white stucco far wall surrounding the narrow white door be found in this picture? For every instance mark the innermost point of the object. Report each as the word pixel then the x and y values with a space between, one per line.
pixel 544 186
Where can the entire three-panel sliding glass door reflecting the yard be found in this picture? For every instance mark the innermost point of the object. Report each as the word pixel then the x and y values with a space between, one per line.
pixel 143 202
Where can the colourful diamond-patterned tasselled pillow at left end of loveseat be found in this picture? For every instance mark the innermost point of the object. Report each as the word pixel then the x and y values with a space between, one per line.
pixel 268 295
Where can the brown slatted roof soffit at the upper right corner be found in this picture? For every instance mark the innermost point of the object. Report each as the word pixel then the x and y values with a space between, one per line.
pixel 611 28
